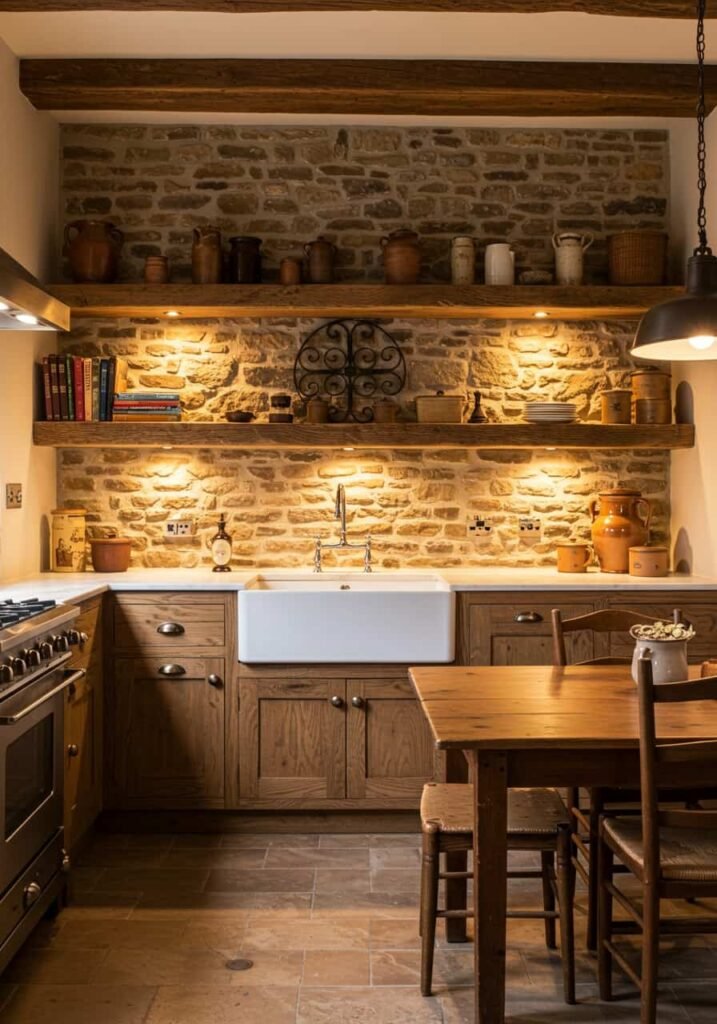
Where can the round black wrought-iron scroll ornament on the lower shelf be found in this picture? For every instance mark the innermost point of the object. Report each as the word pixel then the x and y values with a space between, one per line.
pixel 348 363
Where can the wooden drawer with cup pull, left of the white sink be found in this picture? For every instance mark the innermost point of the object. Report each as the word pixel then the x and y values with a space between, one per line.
pixel 168 623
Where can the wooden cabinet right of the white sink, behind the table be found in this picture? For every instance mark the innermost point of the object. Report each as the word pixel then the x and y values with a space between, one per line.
pixel 495 629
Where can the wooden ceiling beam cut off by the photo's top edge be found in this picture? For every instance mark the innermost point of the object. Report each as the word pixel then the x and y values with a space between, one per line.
pixel 629 9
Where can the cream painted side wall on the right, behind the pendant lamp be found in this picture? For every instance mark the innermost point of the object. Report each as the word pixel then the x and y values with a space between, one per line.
pixel 694 478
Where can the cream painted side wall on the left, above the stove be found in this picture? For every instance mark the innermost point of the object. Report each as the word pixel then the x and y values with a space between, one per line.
pixel 29 181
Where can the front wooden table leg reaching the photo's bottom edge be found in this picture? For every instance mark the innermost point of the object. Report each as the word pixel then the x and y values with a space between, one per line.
pixel 490 884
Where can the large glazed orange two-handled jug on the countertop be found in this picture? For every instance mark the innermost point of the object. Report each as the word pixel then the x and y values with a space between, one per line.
pixel 617 527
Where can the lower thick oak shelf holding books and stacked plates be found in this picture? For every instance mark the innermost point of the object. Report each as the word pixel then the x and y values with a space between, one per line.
pixel 405 436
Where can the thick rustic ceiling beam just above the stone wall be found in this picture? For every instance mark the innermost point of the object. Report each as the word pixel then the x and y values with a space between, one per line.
pixel 437 89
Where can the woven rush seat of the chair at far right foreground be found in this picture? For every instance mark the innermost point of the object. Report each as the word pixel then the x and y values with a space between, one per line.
pixel 686 855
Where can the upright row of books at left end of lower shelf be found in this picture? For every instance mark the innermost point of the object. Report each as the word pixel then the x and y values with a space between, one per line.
pixel 75 388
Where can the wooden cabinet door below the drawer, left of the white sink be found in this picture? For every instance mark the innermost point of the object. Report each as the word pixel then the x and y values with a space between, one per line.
pixel 165 736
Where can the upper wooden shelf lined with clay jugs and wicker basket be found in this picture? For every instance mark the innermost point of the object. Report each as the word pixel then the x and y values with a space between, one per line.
pixel 421 302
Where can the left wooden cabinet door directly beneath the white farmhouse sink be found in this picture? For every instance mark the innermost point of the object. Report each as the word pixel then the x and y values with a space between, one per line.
pixel 292 740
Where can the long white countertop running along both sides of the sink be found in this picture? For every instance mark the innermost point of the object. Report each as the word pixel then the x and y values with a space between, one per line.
pixel 80 586
